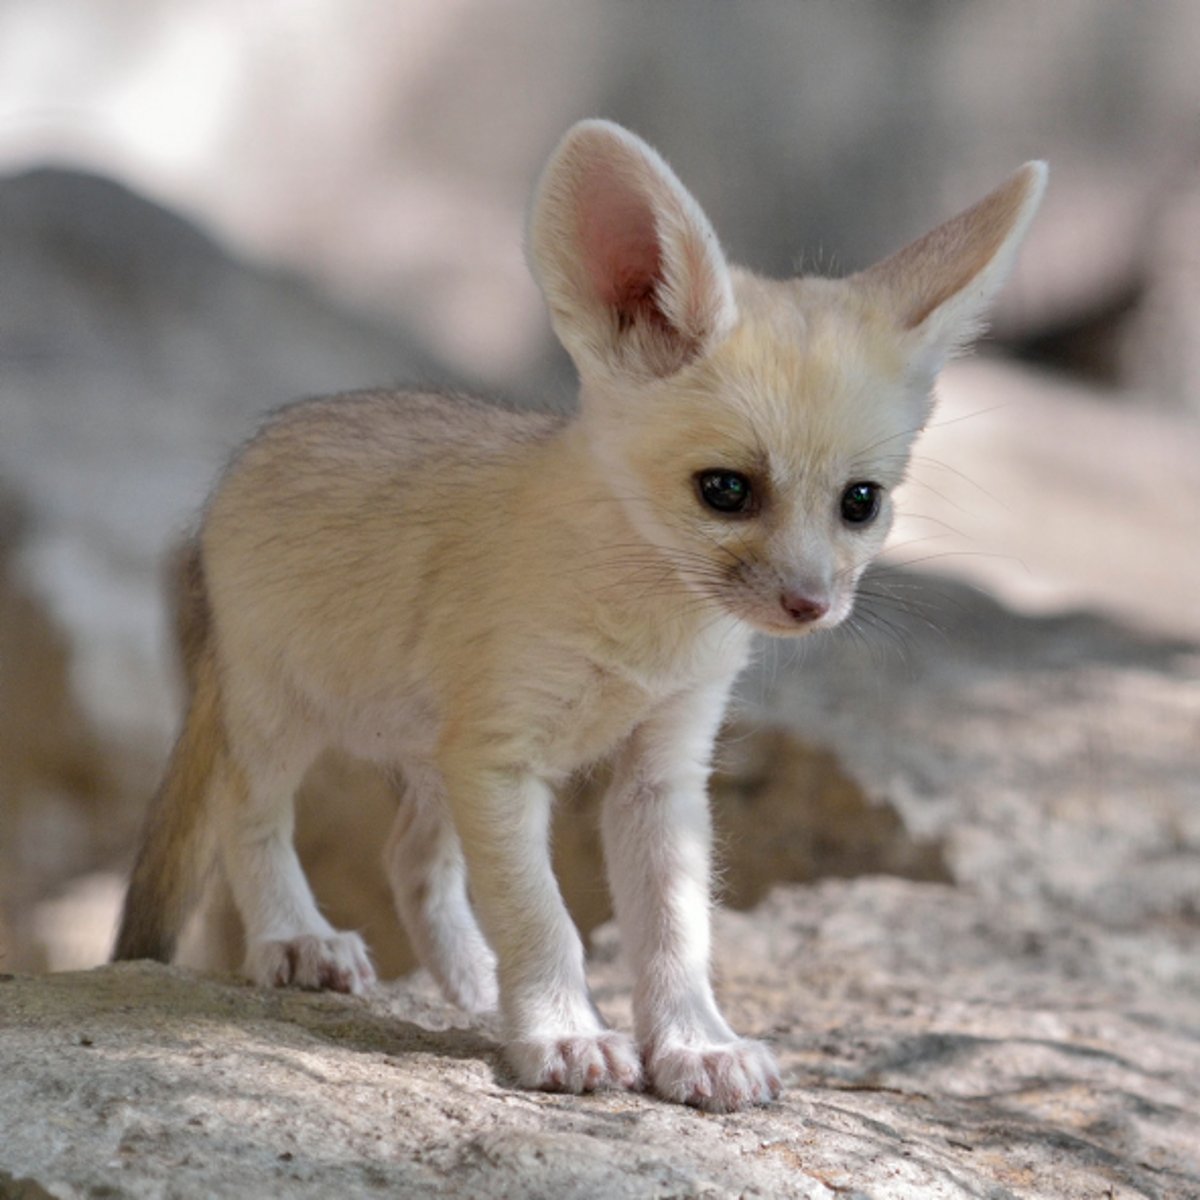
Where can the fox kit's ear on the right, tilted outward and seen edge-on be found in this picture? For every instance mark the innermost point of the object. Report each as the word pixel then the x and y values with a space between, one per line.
pixel 939 289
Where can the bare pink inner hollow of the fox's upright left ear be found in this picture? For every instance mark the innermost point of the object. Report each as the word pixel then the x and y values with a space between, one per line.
pixel 620 244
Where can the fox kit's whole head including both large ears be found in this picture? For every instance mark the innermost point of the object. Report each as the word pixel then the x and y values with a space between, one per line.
pixel 755 430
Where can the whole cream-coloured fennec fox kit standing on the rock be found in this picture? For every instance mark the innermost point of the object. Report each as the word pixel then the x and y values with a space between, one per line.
pixel 484 602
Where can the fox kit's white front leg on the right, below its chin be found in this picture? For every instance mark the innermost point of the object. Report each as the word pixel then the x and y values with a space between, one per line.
pixel 658 836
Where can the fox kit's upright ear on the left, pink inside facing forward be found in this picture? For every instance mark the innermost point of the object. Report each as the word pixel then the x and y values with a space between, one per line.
pixel 631 267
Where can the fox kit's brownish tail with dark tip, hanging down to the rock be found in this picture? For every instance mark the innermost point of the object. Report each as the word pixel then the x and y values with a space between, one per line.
pixel 177 844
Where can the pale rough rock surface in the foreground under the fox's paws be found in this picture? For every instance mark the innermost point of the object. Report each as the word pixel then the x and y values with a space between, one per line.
pixel 935 1045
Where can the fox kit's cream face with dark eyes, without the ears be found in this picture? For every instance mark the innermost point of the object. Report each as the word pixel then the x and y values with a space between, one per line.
pixel 765 471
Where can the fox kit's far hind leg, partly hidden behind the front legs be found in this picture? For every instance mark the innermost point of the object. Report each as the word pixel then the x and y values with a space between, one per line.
pixel 429 881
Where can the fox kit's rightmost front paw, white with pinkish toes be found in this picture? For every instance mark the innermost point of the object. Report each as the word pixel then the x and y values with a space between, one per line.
pixel 716 1078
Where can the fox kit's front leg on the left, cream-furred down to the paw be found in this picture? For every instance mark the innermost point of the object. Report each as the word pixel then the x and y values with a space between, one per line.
pixel 555 1040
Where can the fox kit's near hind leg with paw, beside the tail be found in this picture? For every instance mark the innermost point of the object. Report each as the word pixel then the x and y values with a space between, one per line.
pixel 287 939
